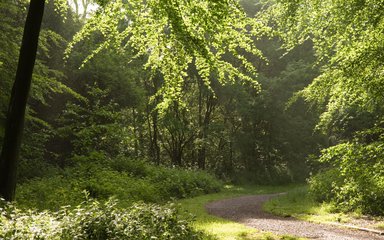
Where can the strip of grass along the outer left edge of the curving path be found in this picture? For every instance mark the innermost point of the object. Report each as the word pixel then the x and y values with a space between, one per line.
pixel 221 229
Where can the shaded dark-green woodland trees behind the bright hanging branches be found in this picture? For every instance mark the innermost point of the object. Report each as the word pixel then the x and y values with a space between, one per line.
pixel 110 110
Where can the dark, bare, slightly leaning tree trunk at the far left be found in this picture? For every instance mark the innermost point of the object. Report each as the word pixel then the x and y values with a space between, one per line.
pixel 20 91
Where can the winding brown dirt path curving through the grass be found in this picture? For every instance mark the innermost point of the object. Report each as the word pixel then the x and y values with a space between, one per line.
pixel 247 210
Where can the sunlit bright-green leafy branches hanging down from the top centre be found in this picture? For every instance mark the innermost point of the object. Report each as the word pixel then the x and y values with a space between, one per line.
pixel 174 35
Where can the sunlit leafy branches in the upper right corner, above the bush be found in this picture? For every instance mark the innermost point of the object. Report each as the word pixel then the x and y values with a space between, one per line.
pixel 348 37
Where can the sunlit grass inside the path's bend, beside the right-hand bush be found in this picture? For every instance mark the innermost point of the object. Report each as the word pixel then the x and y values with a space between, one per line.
pixel 298 204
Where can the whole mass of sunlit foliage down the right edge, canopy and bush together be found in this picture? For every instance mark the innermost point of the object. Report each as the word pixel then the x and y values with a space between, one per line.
pixel 348 42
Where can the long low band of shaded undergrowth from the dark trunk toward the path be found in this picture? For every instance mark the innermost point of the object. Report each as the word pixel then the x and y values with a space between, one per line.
pixel 129 181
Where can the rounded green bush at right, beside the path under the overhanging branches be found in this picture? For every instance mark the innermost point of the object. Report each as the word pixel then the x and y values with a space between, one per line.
pixel 356 181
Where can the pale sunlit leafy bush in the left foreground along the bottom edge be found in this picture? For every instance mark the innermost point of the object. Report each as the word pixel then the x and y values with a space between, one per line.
pixel 95 221
